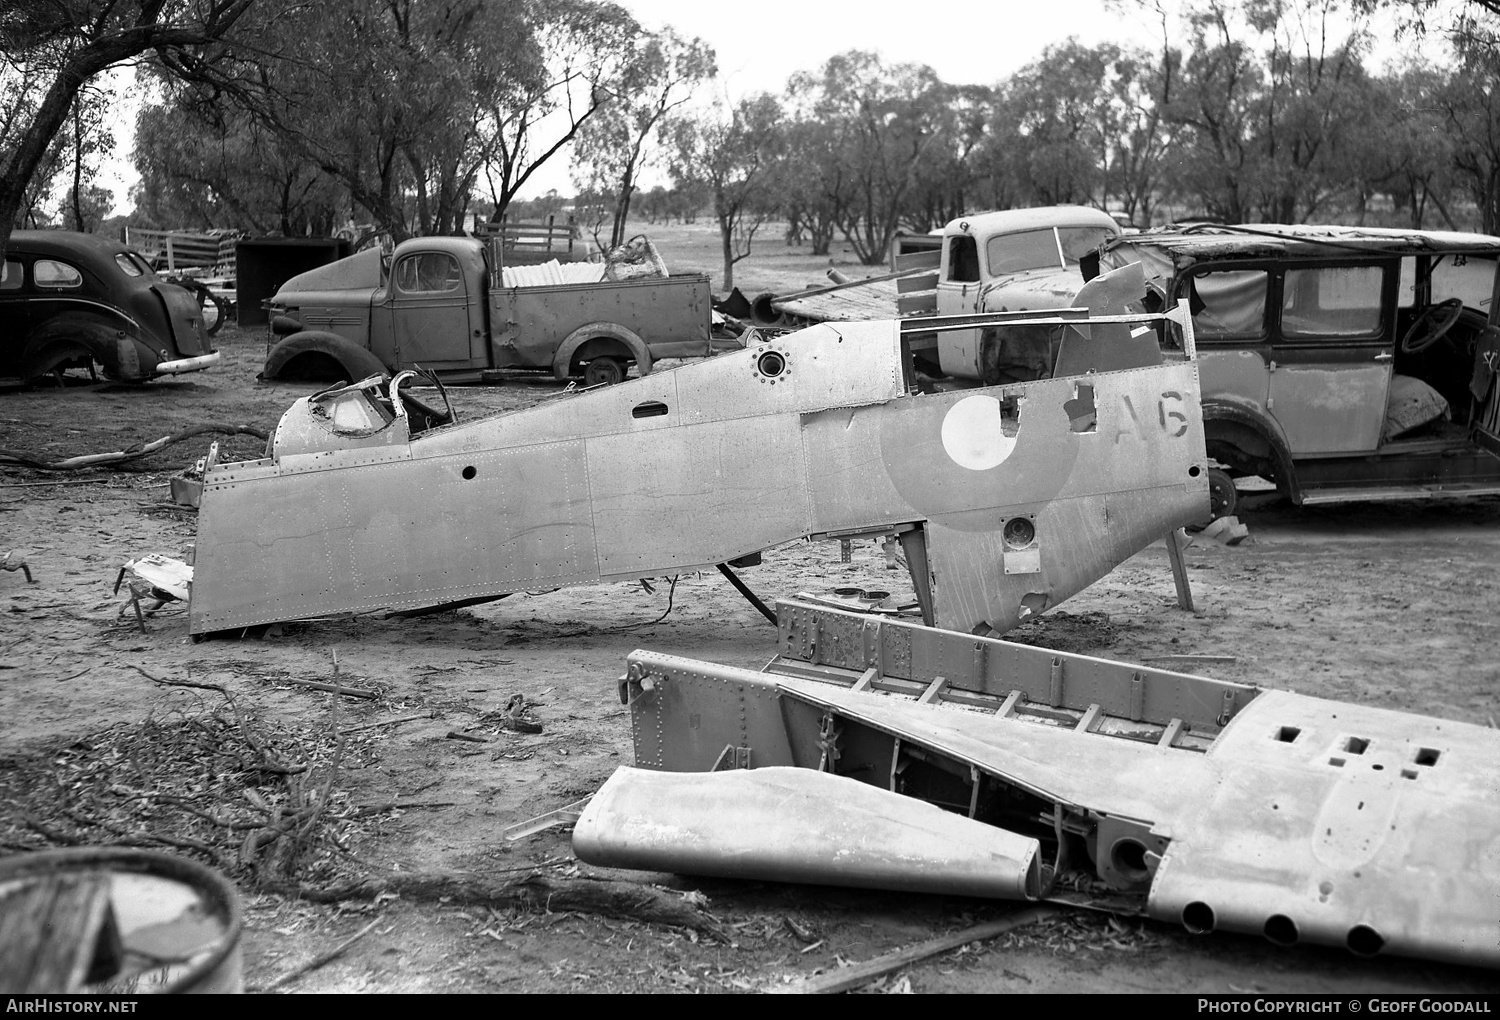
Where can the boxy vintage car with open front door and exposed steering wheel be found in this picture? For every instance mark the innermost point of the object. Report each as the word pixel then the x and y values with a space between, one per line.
pixel 1340 364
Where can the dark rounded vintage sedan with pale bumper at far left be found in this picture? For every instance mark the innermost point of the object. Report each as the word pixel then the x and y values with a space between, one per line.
pixel 83 304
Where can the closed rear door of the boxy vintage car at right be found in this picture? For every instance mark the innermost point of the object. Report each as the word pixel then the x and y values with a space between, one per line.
pixel 1333 347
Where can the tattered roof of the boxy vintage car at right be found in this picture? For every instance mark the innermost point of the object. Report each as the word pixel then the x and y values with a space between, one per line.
pixel 1208 244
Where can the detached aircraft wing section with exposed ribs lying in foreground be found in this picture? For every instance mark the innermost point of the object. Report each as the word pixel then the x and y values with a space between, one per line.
pixel 1061 778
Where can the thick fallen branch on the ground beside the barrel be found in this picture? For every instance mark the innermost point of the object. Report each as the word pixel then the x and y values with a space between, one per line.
pixel 610 898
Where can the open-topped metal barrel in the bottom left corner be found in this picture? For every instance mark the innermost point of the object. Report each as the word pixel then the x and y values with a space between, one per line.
pixel 118 920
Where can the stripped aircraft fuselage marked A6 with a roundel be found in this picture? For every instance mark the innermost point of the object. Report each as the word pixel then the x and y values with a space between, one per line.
pixel 821 433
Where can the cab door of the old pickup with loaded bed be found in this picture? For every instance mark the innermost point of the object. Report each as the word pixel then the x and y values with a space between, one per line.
pixel 431 310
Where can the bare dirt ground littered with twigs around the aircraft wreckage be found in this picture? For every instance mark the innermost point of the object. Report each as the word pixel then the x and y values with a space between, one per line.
pixel 398 817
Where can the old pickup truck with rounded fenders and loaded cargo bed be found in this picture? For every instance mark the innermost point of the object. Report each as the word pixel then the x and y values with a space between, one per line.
pixel 443 305
